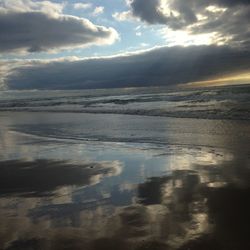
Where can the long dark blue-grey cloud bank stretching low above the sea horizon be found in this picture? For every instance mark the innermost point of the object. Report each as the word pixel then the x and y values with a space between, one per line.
pixel 160 66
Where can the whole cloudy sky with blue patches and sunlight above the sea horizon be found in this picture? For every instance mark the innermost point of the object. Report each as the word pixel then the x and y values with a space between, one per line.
pixel 77 44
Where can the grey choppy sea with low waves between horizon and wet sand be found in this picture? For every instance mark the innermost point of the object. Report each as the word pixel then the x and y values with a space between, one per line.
pixel 216 103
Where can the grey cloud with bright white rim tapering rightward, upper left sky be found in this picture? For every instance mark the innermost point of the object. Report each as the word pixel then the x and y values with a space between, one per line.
pixel 40 26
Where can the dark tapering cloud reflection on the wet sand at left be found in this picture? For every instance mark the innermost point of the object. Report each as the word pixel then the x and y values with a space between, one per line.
pixel 42 177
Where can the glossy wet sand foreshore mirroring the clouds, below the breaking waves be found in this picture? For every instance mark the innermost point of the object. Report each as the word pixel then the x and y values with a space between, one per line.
pixel 77 181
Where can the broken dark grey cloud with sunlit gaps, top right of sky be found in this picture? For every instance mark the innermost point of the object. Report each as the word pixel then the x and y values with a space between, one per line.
pixel 228 20
